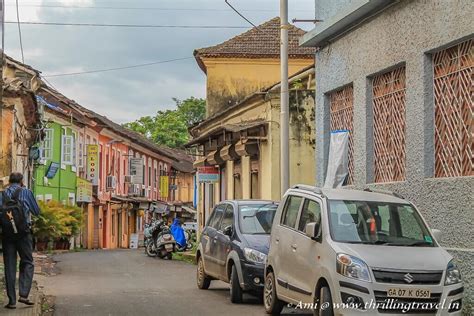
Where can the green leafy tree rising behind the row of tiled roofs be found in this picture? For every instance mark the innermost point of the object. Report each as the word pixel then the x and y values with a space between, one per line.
pixel 170 127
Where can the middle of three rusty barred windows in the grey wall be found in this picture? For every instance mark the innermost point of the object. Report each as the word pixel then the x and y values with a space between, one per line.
pixel 389 126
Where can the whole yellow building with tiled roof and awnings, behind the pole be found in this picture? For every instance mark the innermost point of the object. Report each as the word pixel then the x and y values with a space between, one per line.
pixel 238 145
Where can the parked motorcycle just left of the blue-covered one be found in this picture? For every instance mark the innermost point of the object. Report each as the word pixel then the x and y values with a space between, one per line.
pixel 159 241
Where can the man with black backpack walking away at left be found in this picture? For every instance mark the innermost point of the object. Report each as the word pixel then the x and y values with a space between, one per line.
pixel 17 205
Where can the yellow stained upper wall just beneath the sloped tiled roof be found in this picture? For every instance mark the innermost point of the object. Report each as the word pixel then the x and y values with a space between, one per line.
pixel 231 80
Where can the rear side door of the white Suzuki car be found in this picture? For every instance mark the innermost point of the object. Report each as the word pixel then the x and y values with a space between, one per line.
pixel 284 242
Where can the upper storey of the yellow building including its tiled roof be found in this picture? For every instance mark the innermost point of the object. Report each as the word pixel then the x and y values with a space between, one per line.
pixel 247 63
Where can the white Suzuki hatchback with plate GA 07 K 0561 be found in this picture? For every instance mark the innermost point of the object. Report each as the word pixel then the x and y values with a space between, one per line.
pixel 349 252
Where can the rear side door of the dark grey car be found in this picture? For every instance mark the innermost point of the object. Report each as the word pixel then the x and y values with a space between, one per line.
pixel 209 241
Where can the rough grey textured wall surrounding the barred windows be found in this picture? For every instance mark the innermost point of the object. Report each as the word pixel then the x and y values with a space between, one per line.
pixel 404 33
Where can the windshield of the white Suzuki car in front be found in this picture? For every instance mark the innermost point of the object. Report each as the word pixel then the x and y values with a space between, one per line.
pixel 378 223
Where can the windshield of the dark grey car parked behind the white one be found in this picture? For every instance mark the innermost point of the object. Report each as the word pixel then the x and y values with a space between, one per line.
pixel 257 218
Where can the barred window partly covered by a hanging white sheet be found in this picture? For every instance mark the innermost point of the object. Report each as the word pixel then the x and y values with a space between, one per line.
pixel 342 118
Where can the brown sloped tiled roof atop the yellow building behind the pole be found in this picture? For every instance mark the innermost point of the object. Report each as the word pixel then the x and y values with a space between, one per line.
pixel 262 41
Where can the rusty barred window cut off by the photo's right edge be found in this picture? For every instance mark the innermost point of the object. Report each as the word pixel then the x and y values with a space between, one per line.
pixel 454 108
